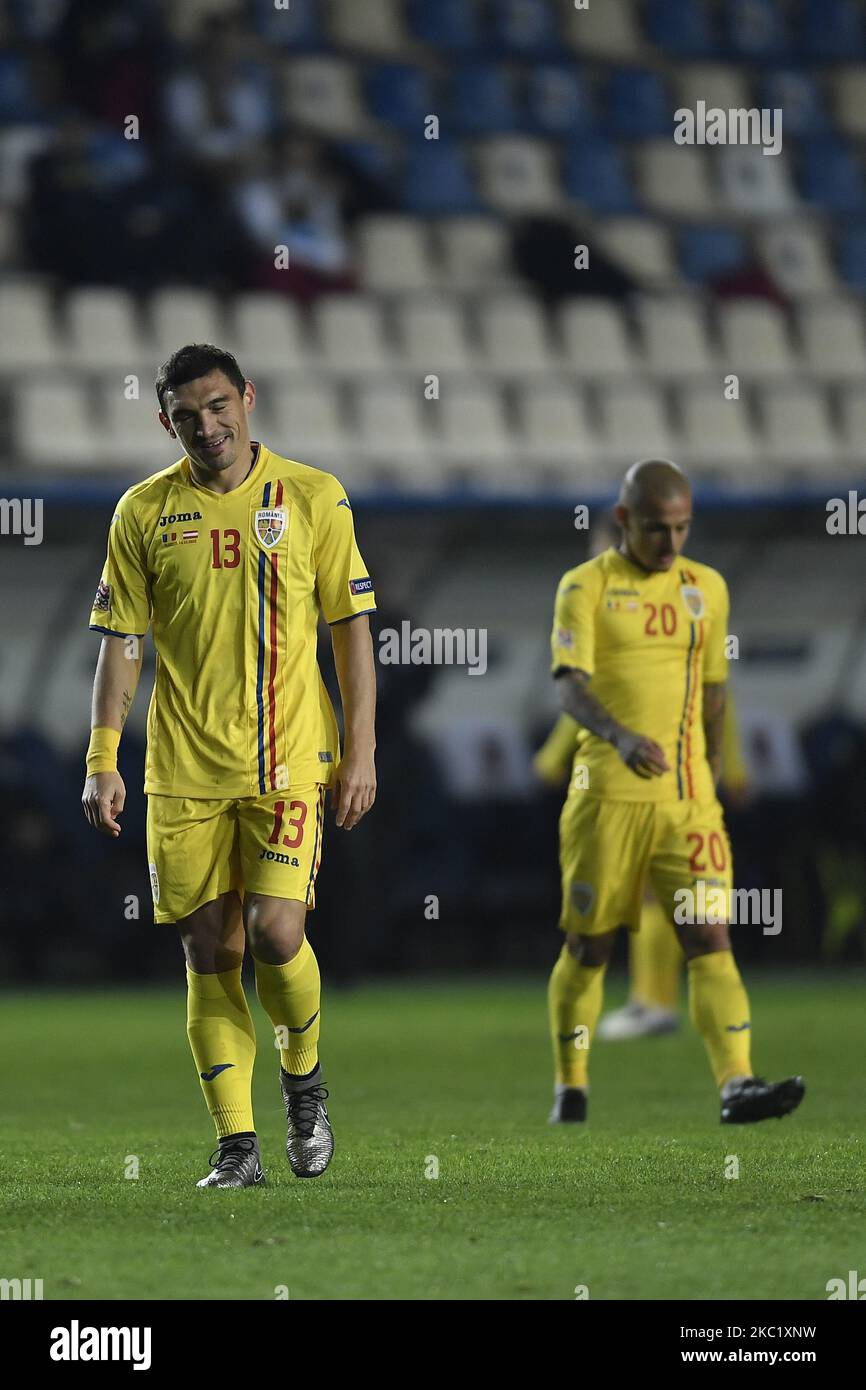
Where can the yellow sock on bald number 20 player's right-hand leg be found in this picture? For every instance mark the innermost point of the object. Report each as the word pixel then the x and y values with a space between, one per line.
pixel 719 1010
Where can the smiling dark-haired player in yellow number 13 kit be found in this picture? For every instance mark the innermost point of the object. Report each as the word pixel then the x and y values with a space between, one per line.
pixel 230 557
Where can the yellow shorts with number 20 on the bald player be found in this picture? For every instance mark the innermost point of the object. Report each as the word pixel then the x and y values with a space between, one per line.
pixel 608 850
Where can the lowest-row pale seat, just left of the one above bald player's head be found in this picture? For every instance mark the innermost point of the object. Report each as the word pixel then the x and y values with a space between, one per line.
pixel 555 432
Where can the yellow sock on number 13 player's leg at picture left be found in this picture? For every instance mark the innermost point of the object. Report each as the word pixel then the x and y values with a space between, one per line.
pixel 223 1040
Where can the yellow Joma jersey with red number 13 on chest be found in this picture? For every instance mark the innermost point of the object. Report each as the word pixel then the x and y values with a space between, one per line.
pixel 233 586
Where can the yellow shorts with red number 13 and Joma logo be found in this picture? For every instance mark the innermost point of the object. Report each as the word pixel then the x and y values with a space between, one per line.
pixel 201 849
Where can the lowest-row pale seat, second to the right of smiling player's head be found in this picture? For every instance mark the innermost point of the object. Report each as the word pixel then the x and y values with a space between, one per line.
pixel 391 430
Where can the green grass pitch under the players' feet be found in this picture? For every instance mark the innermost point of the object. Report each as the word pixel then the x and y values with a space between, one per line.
pixel 633 1206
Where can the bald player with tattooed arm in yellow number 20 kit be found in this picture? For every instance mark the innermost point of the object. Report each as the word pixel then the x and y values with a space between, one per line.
pixel 639 653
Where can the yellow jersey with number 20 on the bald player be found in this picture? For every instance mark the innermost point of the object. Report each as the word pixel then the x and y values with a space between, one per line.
pixel 650 643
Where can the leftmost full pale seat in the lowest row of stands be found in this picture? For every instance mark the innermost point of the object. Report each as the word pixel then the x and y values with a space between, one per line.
pixel 56 425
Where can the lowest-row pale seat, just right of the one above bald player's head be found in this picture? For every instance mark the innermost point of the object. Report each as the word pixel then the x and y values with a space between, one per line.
pixel 718 433
